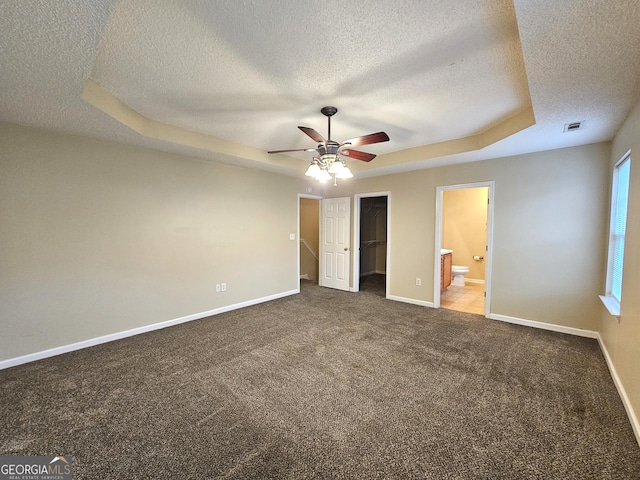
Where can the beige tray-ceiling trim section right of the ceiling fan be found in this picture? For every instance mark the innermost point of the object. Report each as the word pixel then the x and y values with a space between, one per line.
pixel 524 119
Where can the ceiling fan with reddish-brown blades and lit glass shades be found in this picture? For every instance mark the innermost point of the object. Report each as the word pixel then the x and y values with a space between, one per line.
pixel 328 160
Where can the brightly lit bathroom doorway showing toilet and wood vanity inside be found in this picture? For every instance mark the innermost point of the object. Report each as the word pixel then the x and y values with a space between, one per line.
pixel 464 214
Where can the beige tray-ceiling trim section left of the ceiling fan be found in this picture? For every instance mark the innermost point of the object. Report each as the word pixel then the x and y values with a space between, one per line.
pixel 103 100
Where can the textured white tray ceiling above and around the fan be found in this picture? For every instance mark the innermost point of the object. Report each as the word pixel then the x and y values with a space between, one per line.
pixel 448 81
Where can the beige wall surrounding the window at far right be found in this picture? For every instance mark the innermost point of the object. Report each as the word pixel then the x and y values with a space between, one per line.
pixel 622 339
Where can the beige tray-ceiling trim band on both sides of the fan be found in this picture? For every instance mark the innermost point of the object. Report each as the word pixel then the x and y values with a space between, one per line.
pixel 105 101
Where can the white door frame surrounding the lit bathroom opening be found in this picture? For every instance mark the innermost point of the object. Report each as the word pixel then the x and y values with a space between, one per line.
pixel 438 240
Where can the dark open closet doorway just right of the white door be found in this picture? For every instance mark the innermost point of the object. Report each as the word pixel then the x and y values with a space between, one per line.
pixel 371 270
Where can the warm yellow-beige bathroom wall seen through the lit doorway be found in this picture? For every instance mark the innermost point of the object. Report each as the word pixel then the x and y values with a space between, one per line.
pixel 464 227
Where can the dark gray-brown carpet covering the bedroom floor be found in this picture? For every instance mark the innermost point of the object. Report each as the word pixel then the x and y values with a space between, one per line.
pixel 326 384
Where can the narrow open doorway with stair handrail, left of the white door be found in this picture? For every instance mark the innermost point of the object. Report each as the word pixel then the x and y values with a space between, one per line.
pixel 309 236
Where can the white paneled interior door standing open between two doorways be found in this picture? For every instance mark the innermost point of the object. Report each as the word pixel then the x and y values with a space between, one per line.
pixel 335 258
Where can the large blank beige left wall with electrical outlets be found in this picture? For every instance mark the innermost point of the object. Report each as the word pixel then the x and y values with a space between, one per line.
pixel 98 237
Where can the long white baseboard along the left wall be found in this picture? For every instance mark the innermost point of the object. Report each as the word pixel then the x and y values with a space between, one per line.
pixel 32 357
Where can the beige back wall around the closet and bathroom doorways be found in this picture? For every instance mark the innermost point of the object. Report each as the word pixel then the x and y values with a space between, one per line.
pixel 550 211
